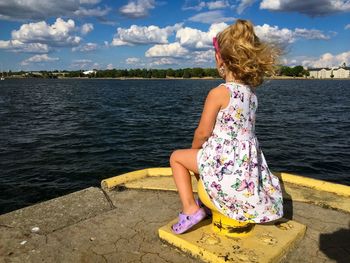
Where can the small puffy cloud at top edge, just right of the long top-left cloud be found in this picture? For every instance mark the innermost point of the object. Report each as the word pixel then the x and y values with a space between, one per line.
pixel 137 8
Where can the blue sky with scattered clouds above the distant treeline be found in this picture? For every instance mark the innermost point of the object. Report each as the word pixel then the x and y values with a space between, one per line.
pixel 106 34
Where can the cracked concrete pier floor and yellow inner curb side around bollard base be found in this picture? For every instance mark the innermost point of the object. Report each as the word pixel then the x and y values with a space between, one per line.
pixel 121 224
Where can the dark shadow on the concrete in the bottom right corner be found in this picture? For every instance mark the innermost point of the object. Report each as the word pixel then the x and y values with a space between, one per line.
pixel 337 245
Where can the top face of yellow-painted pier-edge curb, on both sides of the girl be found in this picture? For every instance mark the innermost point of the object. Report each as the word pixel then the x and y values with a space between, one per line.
pixel 316 184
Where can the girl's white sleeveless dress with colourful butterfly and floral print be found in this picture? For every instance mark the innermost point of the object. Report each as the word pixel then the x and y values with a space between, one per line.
pixel 232 167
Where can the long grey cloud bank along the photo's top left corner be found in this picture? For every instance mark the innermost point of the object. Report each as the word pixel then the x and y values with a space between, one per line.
pixel 22 10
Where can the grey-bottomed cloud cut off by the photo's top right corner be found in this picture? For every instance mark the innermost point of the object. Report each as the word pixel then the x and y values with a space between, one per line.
pixel 309 7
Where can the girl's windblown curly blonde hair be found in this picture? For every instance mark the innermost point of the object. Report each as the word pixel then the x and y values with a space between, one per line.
pixel 242 52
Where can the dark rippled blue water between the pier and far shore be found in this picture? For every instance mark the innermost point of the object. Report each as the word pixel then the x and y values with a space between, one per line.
pixel 59 136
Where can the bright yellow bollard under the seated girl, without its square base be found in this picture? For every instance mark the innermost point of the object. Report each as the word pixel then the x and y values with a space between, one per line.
pixel 222 224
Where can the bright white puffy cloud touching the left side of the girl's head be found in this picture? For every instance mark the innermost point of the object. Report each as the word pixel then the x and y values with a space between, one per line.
pixel 196 39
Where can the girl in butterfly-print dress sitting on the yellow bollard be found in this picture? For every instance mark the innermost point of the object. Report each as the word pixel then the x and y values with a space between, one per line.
pixel 225 153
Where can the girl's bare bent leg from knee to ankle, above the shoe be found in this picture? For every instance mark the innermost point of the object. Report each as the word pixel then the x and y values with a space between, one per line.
pixel 181 161
